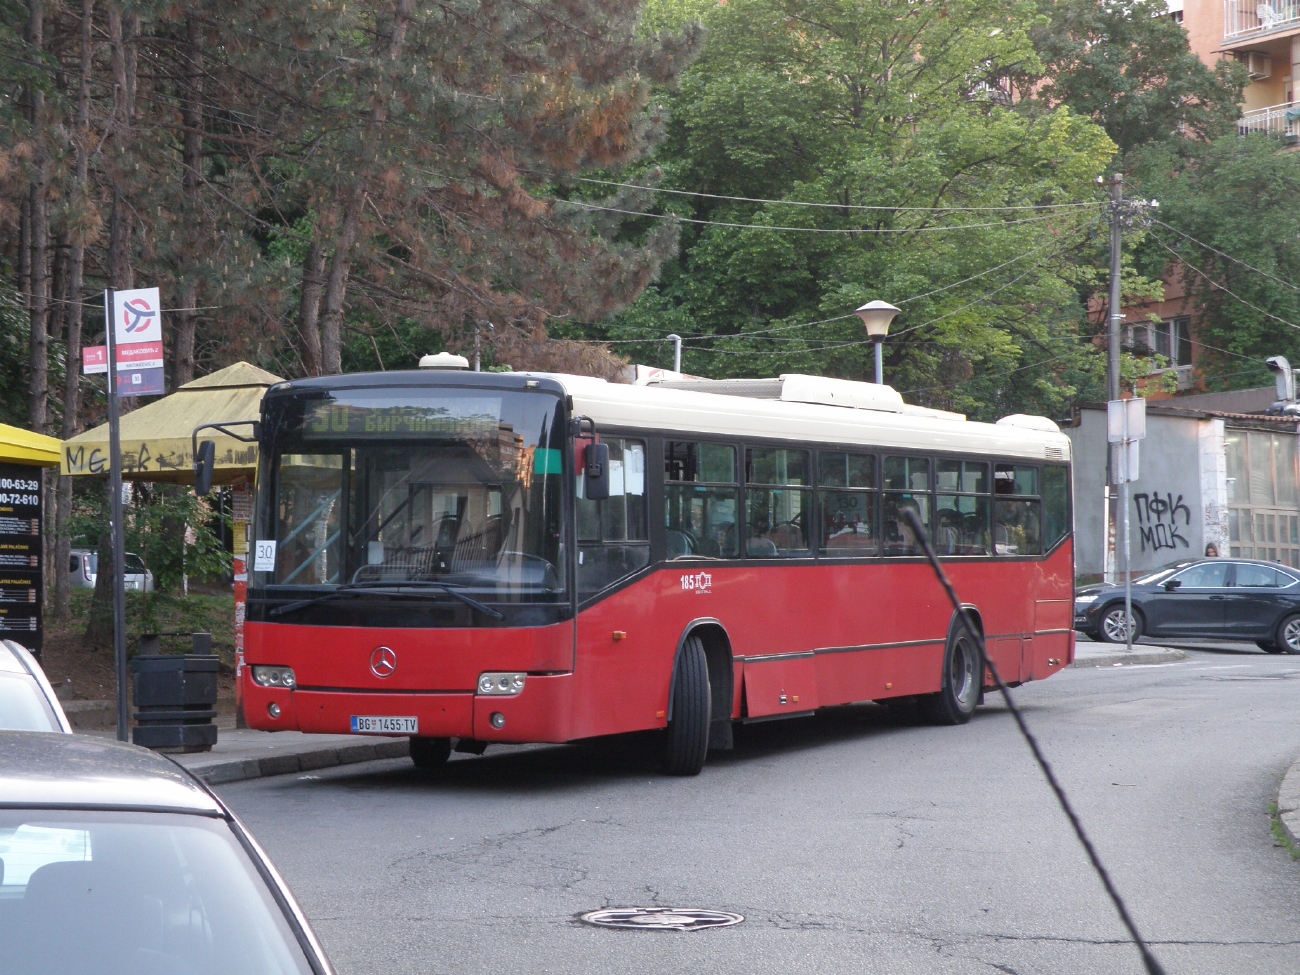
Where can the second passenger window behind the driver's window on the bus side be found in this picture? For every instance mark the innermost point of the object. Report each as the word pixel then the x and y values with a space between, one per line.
pixel 778 502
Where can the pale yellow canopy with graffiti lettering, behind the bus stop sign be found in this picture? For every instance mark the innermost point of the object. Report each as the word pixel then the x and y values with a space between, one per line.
pixel 158 437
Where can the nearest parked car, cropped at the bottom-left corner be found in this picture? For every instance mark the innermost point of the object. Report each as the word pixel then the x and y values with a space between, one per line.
pixel 116 861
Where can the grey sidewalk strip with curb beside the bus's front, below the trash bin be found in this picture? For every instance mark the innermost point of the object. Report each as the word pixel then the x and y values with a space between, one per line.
pixel 252 755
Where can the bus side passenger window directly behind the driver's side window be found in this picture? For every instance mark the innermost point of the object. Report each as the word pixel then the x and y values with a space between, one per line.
pixel 701 501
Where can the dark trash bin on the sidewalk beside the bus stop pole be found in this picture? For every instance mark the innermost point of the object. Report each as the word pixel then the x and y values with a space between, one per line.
pixel 176 697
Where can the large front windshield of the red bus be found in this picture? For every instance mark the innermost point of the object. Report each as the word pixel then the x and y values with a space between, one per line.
pixel 384 487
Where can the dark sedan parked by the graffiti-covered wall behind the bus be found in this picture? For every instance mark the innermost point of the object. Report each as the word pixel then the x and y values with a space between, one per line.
pixel 1202 599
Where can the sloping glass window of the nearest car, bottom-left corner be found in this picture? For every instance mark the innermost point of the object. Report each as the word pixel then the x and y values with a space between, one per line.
pixel 122 894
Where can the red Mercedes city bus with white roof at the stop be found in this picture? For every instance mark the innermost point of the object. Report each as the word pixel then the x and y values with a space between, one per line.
pixel 535 558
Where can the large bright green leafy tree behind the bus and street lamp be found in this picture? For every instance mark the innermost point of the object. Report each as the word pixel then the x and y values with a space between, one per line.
pixel 889 106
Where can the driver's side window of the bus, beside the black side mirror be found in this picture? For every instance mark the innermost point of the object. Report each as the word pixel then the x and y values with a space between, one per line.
pixel 613 534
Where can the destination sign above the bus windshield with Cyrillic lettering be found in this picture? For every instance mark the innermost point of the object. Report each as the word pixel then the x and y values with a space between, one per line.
pixel 454 418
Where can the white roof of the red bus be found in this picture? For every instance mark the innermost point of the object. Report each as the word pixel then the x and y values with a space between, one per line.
pixel 870 417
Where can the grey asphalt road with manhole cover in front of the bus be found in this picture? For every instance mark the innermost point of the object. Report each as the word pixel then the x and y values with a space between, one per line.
pixel 853 842
